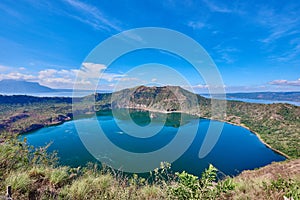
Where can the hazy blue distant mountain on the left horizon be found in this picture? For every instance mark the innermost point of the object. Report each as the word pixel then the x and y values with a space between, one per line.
pixel 19 86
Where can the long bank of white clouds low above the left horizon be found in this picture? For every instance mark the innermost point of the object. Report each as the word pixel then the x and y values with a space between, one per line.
pixel 85 78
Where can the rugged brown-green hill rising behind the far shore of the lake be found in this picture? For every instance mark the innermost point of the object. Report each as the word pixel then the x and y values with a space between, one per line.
pixel 166 98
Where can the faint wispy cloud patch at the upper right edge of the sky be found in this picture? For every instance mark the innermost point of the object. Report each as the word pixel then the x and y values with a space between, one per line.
pixel 282 27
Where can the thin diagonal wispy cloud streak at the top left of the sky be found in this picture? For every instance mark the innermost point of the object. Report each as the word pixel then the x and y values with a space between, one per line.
pixel 92 16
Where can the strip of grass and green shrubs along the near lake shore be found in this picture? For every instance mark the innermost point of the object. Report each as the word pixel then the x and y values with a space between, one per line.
pixel 32 173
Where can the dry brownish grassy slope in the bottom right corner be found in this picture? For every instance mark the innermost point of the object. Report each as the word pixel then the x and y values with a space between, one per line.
pixel 270 182
